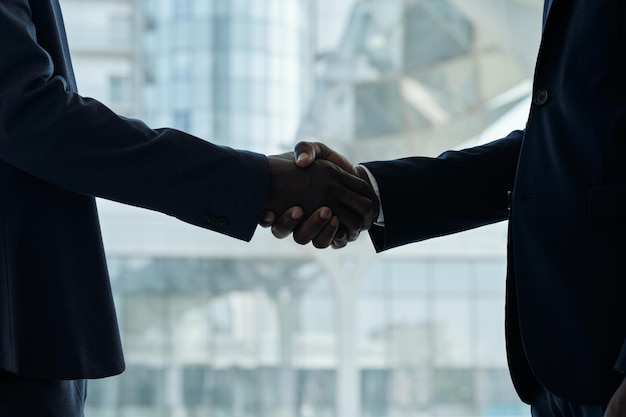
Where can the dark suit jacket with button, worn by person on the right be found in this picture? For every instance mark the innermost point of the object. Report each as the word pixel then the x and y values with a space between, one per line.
pixel 566 170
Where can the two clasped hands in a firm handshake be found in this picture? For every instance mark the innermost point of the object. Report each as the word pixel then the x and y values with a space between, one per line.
pixel 319 196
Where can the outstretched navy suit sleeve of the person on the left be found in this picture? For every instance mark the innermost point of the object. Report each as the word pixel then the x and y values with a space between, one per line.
pixel 50 132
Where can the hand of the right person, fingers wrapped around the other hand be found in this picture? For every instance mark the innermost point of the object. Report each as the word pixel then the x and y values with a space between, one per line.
pixel 314 229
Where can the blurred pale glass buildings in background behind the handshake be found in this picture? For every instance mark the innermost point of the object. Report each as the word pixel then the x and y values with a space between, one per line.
pixel 216 327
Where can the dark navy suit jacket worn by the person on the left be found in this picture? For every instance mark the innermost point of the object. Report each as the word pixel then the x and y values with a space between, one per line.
pixel 57 151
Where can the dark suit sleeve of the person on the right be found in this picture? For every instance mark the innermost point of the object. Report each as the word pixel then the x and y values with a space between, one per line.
pixel 459 190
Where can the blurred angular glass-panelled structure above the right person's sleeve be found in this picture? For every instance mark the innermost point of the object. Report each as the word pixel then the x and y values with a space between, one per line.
pixel 421 76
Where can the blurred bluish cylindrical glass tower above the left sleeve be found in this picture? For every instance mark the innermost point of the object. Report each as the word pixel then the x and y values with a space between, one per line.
pixel 233 72
